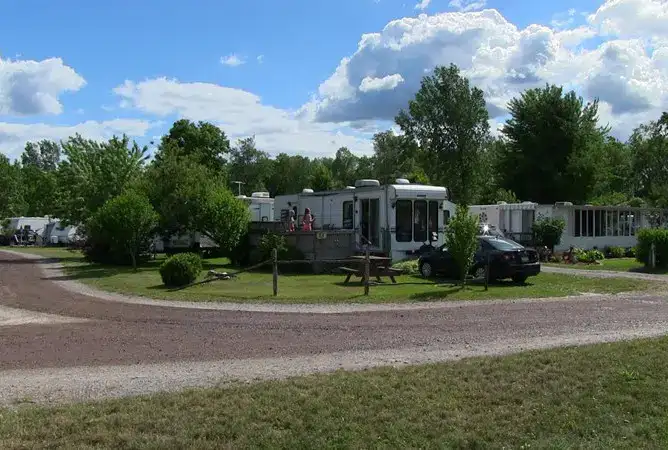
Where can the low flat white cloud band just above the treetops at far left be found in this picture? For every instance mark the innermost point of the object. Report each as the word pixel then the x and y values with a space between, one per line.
pixel 13 136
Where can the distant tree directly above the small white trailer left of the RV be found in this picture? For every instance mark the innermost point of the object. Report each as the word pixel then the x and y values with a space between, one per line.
pixel 250 165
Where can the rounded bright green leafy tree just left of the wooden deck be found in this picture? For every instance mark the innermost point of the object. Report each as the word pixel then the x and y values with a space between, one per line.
pixel 223 218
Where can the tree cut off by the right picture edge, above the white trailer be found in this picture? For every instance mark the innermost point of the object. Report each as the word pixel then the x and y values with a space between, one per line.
pixel 649 147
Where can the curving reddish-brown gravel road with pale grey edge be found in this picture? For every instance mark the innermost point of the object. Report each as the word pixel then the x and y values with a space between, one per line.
pixel 126 348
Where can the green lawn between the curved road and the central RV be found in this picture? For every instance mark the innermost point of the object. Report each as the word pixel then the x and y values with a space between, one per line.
pixel 250 287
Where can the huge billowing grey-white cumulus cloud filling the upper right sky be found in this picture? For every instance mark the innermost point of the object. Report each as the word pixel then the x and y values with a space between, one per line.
pixel 627 70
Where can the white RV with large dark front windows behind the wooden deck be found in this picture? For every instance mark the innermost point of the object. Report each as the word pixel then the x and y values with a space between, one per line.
pixel 395 219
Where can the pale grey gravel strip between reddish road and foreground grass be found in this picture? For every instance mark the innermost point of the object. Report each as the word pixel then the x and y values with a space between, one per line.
pixel 52 386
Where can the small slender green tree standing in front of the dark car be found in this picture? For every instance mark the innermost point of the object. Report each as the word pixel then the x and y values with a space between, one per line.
pixel 461 239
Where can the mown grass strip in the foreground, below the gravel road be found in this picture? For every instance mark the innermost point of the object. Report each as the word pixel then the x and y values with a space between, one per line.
pixel 603 396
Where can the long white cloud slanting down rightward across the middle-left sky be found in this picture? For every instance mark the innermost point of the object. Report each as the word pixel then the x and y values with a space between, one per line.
pixel 240 114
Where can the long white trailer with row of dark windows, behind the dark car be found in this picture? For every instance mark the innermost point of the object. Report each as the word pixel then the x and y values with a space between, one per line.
pixel 587 226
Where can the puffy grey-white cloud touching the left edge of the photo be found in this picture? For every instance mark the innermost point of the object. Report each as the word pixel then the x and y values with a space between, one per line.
pixel 33 87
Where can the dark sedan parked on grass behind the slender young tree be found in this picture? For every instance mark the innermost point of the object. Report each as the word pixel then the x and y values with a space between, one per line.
pixel 507 259
